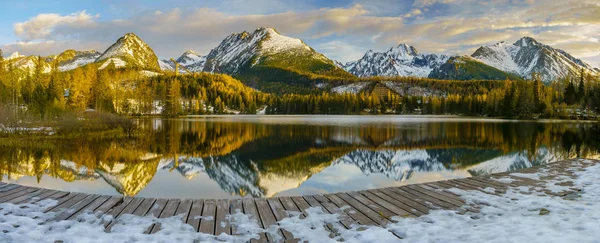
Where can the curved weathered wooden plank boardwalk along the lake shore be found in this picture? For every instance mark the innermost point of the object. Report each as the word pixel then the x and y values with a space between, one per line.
pixel 367 207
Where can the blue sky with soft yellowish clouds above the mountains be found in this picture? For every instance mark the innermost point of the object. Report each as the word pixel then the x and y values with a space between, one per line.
pixel 342 30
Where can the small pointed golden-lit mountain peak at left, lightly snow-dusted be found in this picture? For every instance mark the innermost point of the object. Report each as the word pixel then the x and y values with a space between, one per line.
pixel 130 51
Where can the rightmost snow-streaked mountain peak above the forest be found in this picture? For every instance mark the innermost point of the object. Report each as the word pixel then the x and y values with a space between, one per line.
pixel 527 56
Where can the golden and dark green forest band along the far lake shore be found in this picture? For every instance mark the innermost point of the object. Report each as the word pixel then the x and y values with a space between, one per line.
pixel 45 94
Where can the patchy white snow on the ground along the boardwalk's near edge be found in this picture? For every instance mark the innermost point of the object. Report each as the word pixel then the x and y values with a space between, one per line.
pixel 510 217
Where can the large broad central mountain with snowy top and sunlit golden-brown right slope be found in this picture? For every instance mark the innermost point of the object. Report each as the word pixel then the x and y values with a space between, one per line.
pixel 265 47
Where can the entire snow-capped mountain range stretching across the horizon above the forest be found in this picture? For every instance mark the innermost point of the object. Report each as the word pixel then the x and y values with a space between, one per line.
pixel 266 54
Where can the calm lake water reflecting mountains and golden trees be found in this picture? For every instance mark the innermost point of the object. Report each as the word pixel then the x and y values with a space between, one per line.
pixel 266 156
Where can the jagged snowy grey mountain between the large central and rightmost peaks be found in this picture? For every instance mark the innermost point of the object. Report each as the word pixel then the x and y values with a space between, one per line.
pixel 403 60
